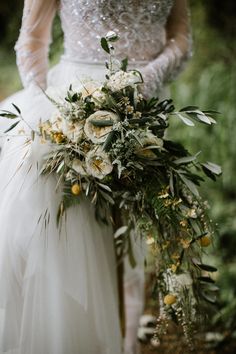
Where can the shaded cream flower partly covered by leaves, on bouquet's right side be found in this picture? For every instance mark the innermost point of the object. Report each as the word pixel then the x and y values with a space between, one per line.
pixel 149 141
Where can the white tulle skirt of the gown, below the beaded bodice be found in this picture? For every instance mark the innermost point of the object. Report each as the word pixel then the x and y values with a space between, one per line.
pixel 58 290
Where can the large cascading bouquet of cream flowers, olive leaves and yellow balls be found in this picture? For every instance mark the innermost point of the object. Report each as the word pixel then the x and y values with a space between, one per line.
pixel 108 144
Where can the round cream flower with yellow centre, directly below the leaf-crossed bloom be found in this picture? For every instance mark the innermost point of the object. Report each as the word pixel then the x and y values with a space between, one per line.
pixel 98 163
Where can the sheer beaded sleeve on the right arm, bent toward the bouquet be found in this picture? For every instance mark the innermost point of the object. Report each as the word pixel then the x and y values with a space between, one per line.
pixel 175 53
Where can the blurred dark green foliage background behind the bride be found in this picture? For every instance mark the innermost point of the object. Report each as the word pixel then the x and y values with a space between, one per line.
pixel 209 82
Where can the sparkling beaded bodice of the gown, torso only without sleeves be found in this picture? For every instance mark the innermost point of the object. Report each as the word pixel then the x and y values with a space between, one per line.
pixel 140 24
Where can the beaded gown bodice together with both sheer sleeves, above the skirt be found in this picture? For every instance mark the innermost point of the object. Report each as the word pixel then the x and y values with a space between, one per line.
pixel 153 32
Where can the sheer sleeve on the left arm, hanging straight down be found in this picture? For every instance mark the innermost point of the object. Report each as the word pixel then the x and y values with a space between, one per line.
pixel 33 42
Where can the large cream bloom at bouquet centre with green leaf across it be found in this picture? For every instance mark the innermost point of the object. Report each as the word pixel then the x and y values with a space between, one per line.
pixel 99 134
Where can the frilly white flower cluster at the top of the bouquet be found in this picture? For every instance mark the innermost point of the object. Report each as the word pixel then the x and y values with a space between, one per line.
pixel 122 79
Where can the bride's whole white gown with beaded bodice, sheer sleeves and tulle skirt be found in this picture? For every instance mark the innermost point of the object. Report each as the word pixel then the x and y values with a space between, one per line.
pixel 58 290
